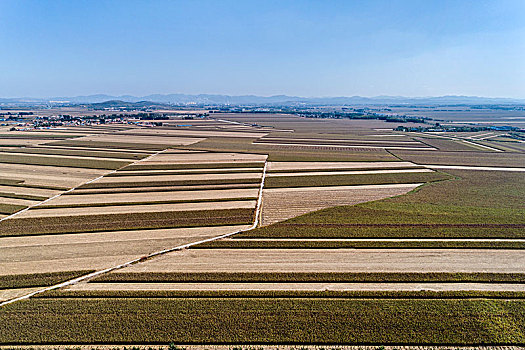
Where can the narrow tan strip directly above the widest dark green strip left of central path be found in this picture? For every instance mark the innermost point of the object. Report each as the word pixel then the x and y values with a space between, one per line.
pixel 150 208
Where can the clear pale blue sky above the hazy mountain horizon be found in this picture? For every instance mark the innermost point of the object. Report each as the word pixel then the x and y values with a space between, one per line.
pixel 300 48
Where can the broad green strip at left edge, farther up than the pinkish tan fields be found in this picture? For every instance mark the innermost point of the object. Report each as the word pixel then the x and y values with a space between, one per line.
pixel 61 161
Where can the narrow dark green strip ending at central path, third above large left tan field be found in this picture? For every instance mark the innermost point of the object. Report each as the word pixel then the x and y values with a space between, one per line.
pixel 170 183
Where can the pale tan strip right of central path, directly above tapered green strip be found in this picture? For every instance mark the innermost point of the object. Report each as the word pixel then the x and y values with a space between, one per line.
pixel 281 166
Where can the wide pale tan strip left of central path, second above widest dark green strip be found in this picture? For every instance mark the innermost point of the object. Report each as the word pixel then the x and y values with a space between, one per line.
pixel 70 199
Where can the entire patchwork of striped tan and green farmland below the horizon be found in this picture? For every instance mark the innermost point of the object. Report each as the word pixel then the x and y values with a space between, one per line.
pixel 260 228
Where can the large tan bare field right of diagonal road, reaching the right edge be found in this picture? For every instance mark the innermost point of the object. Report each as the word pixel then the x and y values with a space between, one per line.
pixel 336 260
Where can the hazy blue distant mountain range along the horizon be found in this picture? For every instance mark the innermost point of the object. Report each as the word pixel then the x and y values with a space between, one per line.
pixel 268 100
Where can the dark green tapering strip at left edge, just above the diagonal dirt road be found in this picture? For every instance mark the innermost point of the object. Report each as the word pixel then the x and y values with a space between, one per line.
pixel 39 279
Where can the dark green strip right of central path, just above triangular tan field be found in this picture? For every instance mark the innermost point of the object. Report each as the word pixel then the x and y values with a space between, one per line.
pixel 345 180
